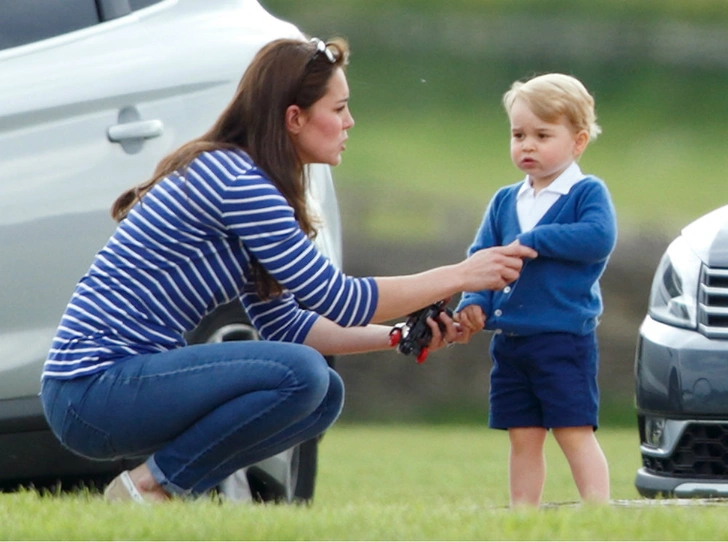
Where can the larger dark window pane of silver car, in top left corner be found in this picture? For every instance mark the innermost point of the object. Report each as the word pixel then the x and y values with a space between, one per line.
pixel 26 21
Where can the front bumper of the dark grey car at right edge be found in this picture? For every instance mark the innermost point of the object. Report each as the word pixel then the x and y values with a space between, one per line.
pixel 682 407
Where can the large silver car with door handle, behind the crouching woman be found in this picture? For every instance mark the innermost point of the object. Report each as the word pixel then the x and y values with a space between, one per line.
pixel 92 95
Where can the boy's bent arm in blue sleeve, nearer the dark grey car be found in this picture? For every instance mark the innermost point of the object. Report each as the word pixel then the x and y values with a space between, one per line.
pixel 590 239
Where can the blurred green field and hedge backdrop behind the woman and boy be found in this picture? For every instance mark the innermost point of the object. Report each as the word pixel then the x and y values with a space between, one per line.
pixel 430 147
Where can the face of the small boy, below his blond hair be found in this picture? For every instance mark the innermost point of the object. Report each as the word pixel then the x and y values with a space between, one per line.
pixel 541 149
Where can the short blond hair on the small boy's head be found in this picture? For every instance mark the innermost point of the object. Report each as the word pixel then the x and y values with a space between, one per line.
pixel 553 95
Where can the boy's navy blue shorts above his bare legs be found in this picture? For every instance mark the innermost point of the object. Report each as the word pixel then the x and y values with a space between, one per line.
pixel 546 380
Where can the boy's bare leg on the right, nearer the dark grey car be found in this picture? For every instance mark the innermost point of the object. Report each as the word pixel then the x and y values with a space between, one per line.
pixel 587 461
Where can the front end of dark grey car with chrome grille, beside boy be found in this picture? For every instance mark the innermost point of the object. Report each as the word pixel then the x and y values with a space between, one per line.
pixel 681 367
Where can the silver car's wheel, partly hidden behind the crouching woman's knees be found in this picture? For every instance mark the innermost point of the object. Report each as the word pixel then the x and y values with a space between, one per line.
pixel 289 477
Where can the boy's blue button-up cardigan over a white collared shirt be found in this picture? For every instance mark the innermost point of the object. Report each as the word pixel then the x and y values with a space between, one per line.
pixel 558 290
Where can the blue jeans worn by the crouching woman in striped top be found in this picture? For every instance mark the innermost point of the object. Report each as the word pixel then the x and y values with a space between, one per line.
pixel 198 413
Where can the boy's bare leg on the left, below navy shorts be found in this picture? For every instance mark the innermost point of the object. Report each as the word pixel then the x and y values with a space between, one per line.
pixel 527 469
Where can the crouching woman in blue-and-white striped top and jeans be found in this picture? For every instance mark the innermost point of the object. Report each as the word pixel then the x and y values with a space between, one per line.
pixel 223 217
